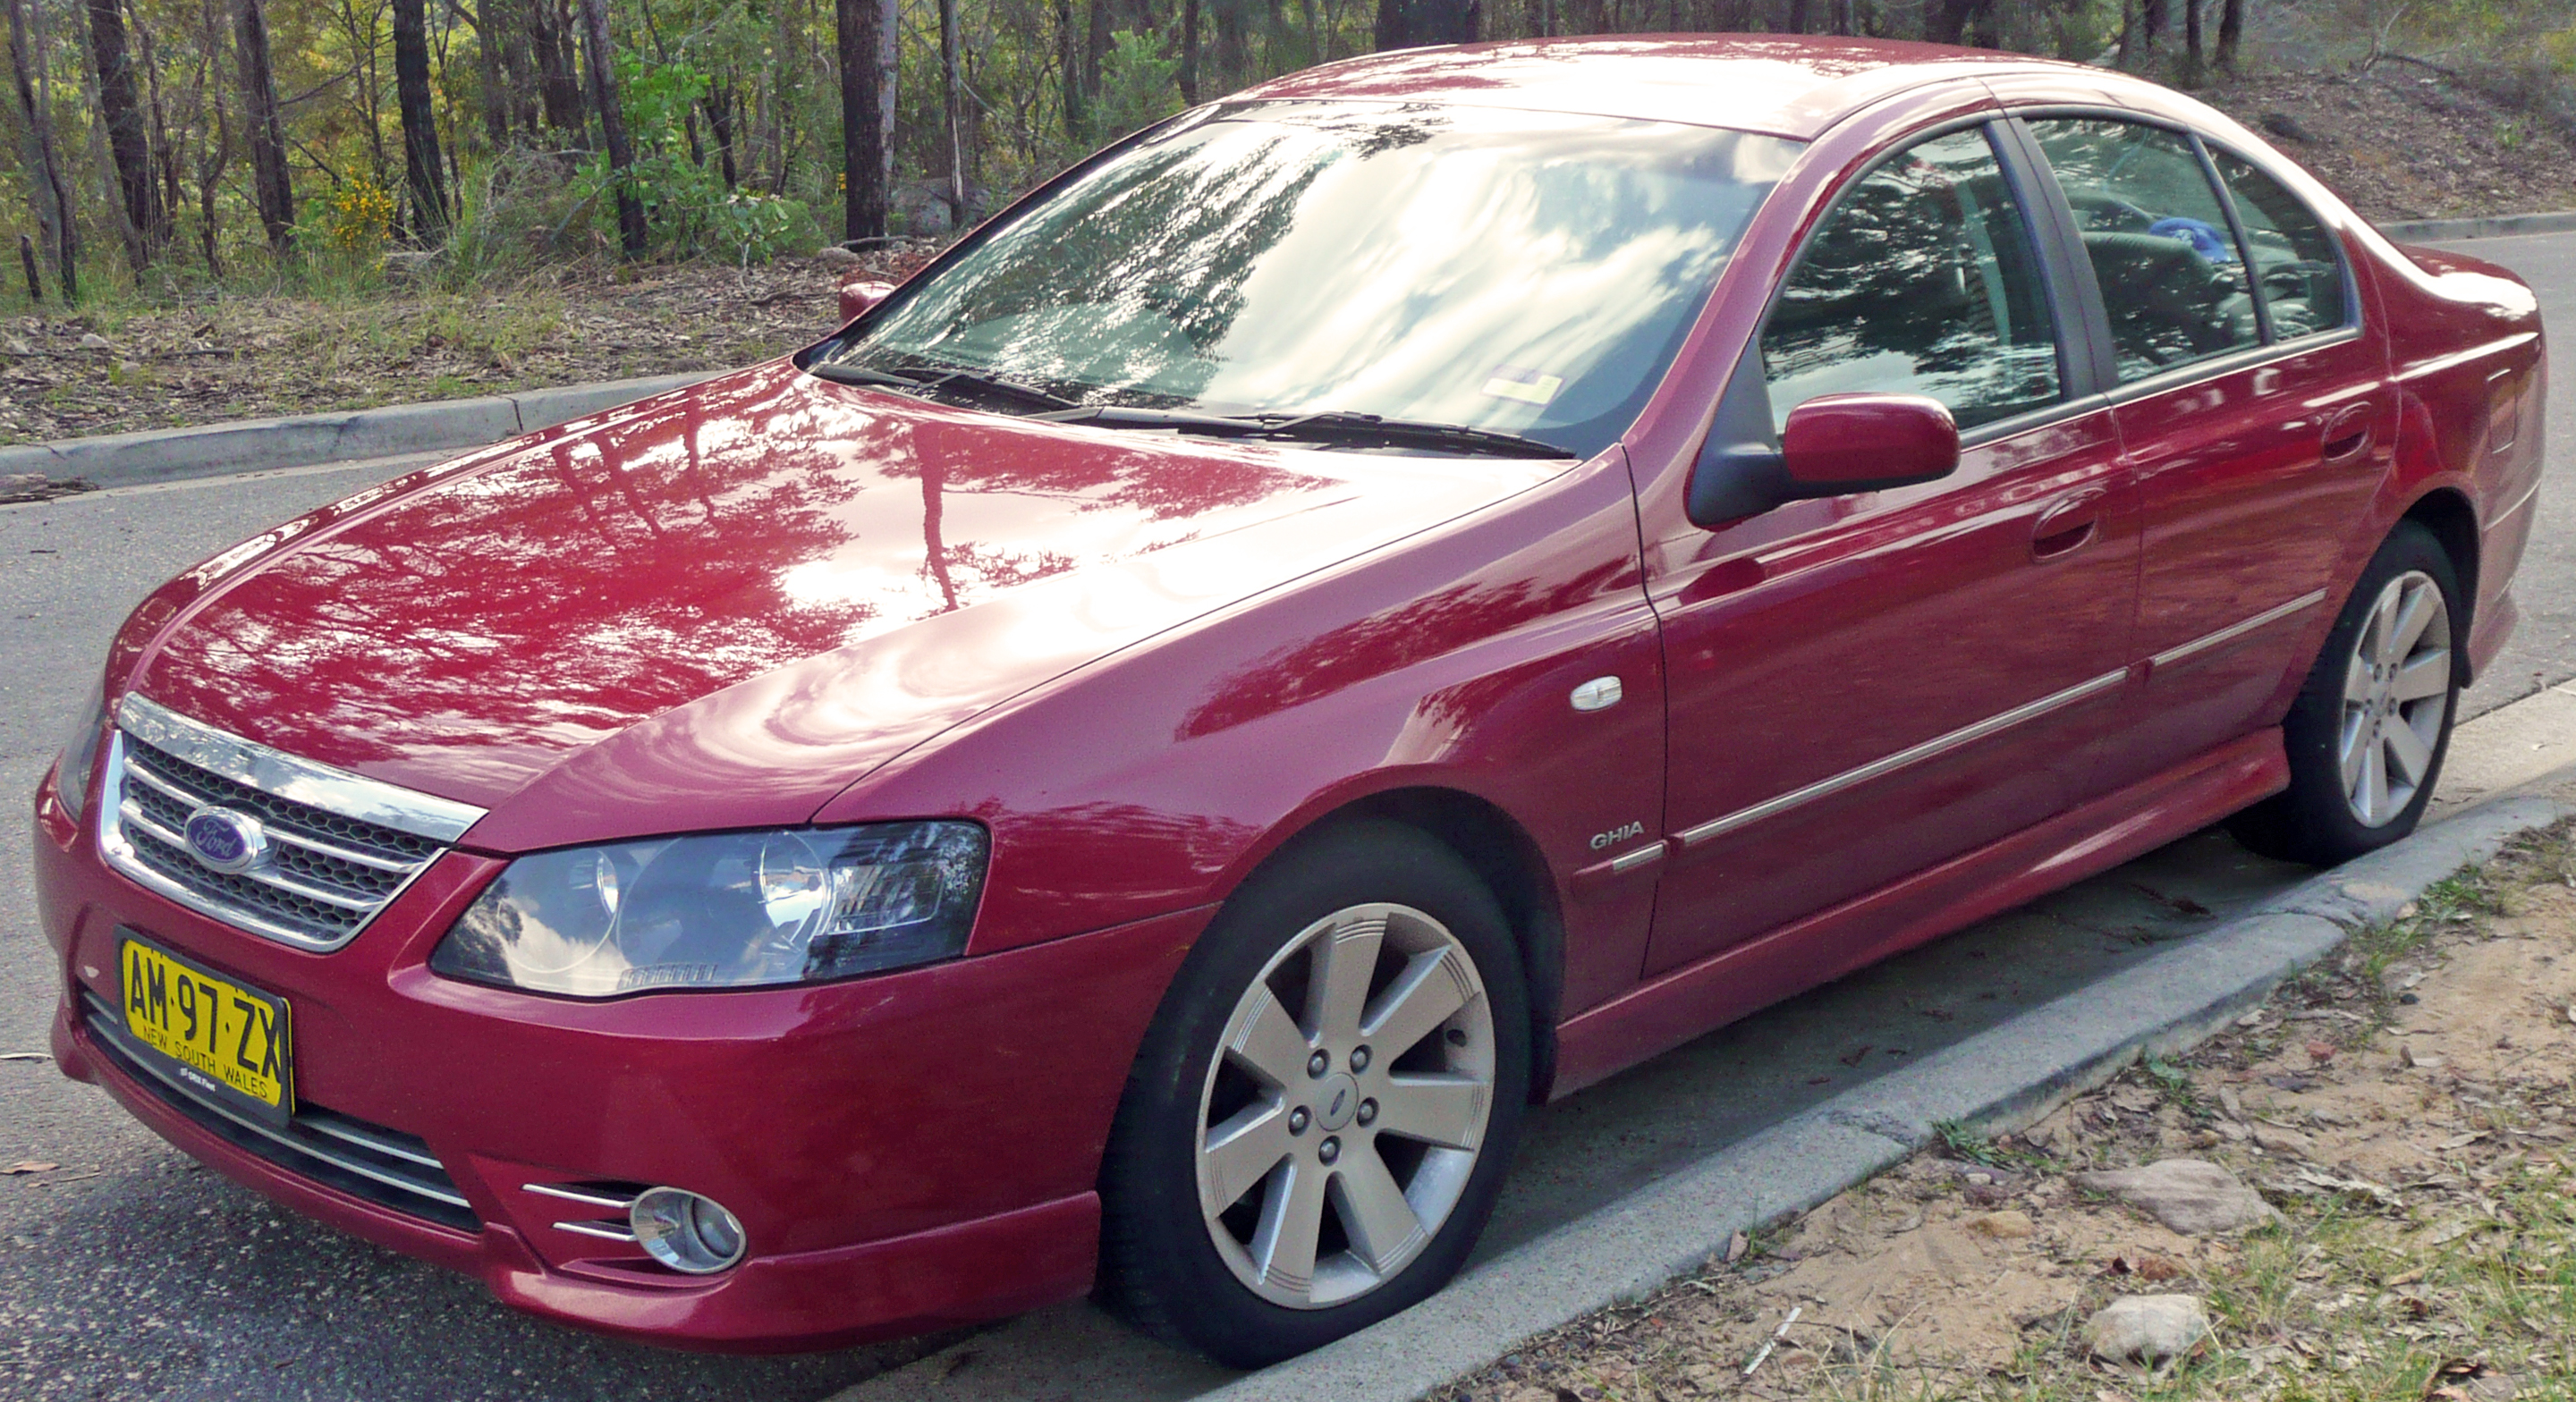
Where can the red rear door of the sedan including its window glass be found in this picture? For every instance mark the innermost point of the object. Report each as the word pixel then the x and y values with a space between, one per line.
pixel 2255 411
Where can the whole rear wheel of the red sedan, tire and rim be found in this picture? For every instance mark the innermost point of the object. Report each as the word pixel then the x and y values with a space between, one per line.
pixel 2371 725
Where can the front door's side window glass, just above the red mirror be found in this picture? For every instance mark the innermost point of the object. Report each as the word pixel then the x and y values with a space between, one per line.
pixel 1920 282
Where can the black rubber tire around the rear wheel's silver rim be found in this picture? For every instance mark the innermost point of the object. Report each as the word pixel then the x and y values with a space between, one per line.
pixel 2315 821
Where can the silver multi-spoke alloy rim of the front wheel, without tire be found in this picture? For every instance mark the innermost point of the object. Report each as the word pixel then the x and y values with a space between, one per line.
pixel 1346 1107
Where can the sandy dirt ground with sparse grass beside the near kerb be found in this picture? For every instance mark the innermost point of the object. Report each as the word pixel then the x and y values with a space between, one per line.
pixel 2407 1109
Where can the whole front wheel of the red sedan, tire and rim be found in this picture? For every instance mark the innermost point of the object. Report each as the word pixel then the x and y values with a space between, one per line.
pixel 1325 1107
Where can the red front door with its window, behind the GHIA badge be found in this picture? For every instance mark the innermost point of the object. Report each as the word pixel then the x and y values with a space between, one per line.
pixel 1864 687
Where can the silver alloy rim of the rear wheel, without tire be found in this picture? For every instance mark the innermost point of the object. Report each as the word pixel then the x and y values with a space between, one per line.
pixel 2397 697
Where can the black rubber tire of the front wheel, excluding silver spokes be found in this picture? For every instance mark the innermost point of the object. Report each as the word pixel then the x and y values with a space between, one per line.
pixel 1163 1267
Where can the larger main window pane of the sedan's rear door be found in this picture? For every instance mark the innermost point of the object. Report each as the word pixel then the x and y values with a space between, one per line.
pixel 2160 244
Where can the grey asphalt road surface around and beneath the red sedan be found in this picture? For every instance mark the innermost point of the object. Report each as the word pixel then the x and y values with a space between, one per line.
pixel 128 1272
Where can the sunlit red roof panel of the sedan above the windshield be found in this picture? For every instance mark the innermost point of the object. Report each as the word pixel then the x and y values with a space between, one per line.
pixel 1776 84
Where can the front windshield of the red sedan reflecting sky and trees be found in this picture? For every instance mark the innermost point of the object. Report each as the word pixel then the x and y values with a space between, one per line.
pixel 1495 269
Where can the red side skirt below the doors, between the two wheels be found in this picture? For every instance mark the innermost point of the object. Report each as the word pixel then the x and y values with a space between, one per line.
pixel 1964 890
